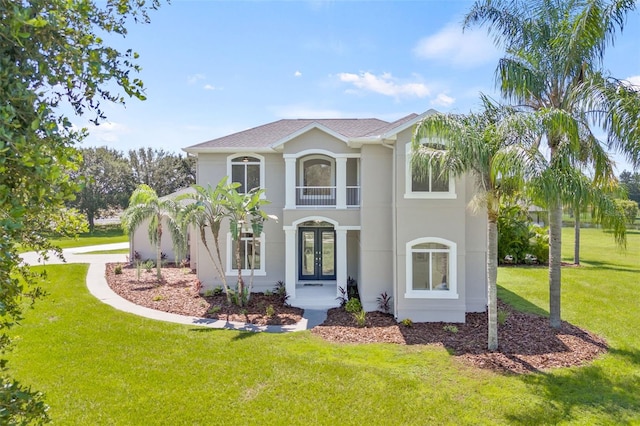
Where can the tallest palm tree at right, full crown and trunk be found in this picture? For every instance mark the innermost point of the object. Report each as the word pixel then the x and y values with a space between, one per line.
pixel 554 67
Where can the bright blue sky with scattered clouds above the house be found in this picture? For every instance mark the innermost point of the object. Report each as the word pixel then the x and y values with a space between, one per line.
pixel 212 68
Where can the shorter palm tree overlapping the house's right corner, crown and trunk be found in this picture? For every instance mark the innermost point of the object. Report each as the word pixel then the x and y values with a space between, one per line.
pixel 484 146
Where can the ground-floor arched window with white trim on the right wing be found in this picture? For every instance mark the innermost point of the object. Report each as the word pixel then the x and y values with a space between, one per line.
pixel 431 269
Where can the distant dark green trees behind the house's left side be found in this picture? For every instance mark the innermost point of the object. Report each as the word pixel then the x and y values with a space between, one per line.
pixel 108 177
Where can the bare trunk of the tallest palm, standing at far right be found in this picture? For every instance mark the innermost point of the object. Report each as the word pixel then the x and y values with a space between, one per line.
pixel 555 262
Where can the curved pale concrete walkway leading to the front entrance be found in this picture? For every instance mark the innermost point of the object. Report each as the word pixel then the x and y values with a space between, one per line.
pixel 97 285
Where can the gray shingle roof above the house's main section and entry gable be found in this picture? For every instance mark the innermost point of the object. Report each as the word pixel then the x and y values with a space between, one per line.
pixel 267 134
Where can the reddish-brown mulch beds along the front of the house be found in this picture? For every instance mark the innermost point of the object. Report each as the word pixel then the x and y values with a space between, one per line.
pixel 526 342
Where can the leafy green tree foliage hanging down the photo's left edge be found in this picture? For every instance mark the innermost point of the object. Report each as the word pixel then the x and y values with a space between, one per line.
pixel 50 55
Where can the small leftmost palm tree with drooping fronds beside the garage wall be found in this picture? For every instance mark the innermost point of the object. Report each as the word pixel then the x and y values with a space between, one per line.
pixel 144 205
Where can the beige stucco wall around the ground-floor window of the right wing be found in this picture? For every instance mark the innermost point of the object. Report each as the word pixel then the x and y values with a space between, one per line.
pixel 449 219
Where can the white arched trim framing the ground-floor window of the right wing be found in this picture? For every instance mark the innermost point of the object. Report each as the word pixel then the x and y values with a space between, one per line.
pixel 452 273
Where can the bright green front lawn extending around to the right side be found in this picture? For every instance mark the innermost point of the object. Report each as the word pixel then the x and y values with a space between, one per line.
pixel 101 366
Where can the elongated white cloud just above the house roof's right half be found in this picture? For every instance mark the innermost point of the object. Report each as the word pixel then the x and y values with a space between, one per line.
pixel 384 84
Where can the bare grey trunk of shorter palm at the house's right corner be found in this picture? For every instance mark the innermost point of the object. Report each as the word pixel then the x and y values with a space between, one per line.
pixel 492 276
